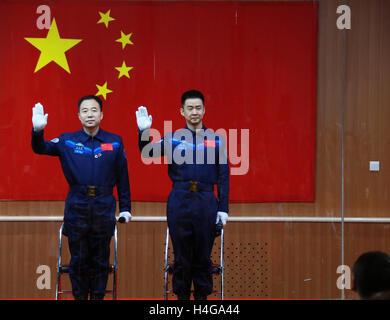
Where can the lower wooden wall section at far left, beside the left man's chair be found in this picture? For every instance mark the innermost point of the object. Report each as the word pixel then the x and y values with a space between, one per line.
pixel 23 247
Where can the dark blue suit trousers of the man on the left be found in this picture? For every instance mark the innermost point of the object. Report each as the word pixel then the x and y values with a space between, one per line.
pixel 89 225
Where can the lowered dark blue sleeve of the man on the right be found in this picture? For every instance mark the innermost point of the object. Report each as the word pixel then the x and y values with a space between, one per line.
pixel 223 176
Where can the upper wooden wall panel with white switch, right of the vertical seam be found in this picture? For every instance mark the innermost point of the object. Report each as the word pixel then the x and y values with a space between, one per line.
pixel 367 135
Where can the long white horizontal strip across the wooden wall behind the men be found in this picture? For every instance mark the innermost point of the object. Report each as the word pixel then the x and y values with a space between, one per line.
pixel 231 219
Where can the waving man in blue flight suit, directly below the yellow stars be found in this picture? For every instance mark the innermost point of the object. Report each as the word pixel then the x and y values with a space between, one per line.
pixel 93 162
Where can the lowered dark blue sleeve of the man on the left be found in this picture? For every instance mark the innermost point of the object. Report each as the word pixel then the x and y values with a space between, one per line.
pixel 123 184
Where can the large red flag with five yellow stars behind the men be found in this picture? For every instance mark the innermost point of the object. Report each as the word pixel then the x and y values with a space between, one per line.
pixel 256 63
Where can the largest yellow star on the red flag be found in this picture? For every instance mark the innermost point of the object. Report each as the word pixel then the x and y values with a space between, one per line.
pixel 53 48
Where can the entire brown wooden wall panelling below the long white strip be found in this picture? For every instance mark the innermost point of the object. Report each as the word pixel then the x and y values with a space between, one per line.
pixel 275 260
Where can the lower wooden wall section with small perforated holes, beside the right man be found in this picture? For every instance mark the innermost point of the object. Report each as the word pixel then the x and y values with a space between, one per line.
pixel 299 260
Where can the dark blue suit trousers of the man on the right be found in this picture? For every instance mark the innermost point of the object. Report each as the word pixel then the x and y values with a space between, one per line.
pixel 191 220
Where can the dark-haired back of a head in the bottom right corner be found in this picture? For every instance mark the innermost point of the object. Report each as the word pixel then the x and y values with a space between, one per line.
pixel 371 273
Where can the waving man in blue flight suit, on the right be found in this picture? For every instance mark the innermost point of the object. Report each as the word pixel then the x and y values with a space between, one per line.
pixel 197 160
